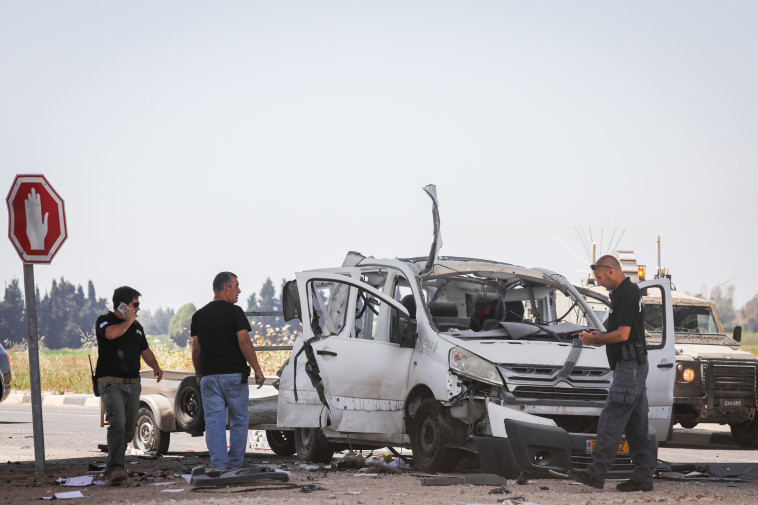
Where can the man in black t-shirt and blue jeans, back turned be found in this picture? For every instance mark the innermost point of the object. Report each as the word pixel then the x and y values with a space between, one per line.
pixel 221 350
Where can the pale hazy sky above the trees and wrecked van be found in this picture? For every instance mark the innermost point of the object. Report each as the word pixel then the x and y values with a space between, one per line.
pixel 265 138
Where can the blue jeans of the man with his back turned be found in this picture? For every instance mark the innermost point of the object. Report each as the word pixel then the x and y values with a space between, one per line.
pixel 220 392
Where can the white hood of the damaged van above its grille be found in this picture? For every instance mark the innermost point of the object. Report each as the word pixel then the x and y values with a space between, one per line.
pixel 505 352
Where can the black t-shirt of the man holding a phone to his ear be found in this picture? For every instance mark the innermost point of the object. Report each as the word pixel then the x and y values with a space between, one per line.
pixel 119 357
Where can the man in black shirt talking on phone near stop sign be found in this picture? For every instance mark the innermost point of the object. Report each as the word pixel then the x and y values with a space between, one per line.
pixel 120 344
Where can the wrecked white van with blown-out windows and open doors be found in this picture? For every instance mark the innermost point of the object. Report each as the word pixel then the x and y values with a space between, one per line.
pixel 450 356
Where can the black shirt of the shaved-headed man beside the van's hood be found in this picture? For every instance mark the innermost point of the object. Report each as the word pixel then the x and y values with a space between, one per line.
pixel 626 310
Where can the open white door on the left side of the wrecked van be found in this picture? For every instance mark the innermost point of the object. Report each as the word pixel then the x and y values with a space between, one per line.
pixel 363 379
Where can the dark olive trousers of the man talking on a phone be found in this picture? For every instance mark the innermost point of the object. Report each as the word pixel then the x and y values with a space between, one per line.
pixel 121 402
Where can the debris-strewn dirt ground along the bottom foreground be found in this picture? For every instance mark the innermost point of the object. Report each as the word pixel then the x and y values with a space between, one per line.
pixel 20 484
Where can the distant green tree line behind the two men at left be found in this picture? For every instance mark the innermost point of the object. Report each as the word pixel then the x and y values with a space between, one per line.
pixel 65 312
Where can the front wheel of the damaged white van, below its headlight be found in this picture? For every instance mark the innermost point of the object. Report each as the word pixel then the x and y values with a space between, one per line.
pixel 428 442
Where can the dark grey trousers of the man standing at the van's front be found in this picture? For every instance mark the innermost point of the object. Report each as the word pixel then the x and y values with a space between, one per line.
pixel 625 412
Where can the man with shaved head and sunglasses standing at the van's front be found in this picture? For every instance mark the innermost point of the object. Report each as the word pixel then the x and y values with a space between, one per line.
pixel 626 409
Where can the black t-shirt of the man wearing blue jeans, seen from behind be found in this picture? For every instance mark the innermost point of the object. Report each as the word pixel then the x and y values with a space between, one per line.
pixel 216 326
